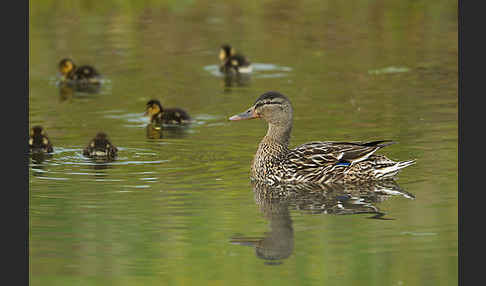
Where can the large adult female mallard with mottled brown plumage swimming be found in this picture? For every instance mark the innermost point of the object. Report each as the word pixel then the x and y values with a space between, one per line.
pixel 319 162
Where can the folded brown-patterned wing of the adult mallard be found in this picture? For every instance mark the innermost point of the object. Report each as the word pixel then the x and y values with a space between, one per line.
pixel 329 153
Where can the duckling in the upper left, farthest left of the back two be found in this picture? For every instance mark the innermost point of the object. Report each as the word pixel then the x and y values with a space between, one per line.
pixel 81 75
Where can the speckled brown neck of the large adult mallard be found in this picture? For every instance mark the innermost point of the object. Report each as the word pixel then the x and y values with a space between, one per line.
pixel 271 150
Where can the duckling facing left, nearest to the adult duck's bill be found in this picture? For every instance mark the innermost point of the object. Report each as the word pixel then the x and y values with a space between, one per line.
pixel 159 116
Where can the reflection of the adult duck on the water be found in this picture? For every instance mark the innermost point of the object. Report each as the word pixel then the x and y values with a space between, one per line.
pixel 274 202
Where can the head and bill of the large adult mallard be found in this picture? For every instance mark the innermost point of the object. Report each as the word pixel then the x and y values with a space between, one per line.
pixel 272 106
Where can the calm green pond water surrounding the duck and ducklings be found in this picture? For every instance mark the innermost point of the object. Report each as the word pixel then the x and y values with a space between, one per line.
pixel 181 210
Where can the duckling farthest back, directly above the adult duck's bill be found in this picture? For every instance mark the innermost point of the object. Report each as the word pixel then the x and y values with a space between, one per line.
pixel 232 62
